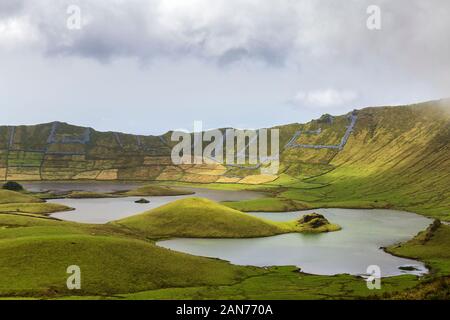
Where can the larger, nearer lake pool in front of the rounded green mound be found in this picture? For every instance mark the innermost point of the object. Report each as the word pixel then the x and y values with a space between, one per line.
pixel 350 250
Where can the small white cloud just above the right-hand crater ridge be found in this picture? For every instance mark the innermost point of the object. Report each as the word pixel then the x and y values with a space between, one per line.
pixel 326 98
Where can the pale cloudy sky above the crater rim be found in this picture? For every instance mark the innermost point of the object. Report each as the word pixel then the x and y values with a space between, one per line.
pixel 149 66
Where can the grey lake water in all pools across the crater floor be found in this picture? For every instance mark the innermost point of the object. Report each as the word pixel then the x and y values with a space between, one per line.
pixel 350 250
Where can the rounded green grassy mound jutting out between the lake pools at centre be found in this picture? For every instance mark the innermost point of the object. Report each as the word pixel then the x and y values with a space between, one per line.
pixel 197 217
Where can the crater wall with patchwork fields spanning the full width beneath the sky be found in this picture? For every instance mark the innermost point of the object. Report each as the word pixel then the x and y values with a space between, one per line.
pixel 390 146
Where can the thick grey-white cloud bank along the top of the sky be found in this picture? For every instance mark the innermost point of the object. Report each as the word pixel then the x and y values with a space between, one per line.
pixel 276 32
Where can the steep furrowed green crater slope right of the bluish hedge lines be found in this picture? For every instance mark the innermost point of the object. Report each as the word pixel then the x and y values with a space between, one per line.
pixel 397 157
